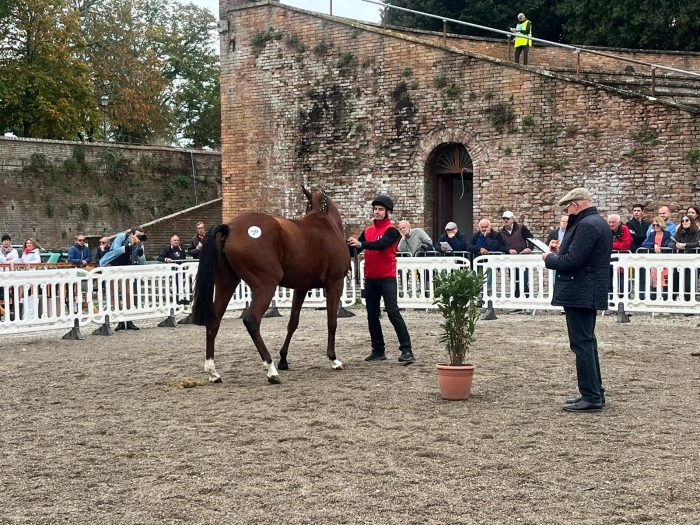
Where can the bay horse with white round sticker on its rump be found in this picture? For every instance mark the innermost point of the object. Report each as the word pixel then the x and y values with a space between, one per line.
pixel 267 252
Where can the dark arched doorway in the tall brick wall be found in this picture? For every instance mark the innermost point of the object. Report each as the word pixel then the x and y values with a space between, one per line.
pixel 453 193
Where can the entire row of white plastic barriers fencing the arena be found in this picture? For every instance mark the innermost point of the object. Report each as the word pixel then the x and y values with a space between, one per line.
pixel 67 298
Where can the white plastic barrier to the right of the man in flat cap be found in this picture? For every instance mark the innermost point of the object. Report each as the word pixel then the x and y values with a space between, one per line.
pixel 656 283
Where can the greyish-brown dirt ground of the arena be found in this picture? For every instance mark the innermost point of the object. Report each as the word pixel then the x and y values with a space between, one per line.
pixel 101 430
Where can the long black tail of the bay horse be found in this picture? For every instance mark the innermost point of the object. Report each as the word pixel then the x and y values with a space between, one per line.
pixel 202 305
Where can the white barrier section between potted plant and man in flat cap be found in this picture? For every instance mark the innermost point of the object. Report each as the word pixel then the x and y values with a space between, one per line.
pixel 516 282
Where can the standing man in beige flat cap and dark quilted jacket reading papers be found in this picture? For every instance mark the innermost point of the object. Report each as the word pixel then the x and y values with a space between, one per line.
pixel 582 263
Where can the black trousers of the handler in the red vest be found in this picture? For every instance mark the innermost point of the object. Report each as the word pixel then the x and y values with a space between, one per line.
pixel 375 290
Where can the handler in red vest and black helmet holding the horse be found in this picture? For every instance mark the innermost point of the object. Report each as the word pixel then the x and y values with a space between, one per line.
pixel 381 240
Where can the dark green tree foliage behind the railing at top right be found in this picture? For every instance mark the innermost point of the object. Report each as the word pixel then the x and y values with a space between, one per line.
pixel 636 24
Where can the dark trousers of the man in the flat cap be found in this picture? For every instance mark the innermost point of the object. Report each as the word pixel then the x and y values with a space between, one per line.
pixel 581 325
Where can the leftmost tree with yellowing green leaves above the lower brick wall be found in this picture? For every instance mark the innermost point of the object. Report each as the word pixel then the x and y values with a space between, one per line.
pixel 46 86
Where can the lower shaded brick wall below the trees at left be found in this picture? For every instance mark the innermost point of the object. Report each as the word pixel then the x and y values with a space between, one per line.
pixel 53 189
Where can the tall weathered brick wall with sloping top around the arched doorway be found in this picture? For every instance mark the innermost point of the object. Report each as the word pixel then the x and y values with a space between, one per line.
pixel 358 110
